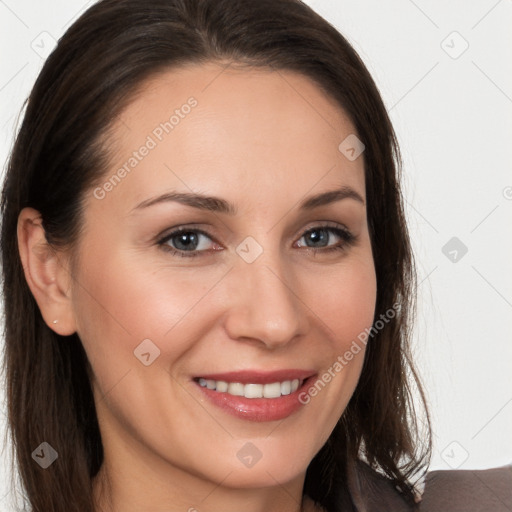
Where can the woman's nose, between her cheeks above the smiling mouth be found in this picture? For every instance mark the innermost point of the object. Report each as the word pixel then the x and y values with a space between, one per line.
pixel 264 304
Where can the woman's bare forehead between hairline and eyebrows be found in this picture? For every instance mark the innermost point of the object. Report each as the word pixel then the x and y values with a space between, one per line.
pixel 208 128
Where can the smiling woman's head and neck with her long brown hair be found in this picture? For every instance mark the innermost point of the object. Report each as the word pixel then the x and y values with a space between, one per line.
pixel 203 235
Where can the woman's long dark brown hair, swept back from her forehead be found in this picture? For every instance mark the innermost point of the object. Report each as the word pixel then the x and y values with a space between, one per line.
pixel 60 152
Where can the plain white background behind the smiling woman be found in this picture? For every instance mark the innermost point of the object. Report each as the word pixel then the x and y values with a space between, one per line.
pixel 453 115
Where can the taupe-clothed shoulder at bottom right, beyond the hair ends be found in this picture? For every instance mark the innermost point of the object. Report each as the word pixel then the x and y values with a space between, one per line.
pixel 468 490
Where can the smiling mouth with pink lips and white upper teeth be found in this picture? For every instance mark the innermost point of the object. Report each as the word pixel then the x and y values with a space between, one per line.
pixel 254 395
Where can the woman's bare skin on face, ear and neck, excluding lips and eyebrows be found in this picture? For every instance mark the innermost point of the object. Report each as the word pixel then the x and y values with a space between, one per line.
pixel 263 140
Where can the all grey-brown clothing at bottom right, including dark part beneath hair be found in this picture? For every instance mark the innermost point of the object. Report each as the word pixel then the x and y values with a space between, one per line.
pixel 444 491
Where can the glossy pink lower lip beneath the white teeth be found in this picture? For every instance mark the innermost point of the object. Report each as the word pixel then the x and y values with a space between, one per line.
pixel 257 409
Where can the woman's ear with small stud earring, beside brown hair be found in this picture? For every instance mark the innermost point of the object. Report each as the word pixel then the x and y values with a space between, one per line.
pixel 47 274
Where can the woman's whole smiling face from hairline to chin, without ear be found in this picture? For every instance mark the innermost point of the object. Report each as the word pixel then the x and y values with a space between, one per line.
pixel 185 304
